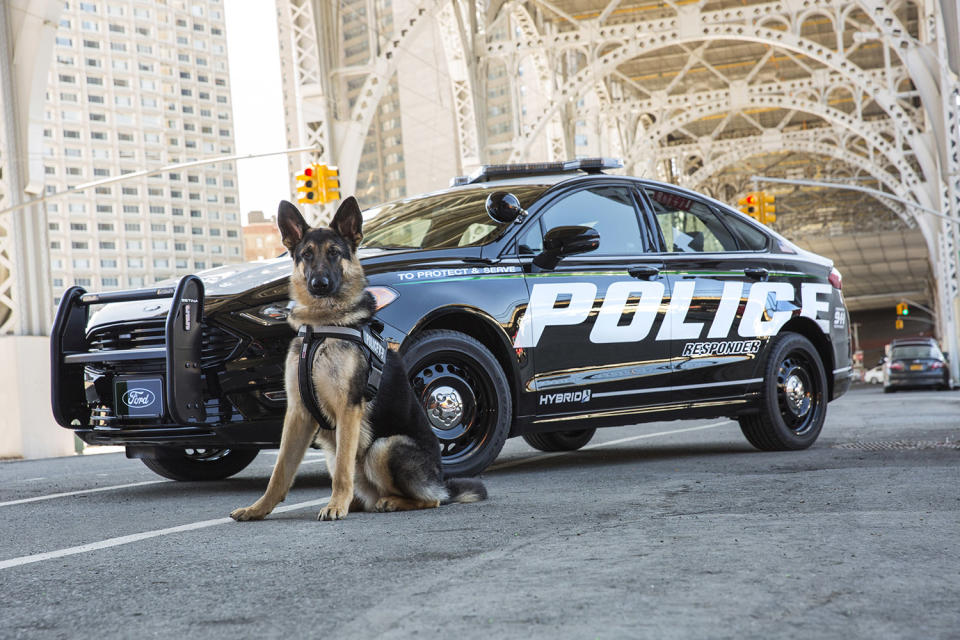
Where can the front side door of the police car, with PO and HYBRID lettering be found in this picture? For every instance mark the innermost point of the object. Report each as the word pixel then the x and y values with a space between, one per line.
pixel 593 318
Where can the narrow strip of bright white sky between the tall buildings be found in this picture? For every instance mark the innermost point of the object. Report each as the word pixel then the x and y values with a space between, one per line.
pixel 254 59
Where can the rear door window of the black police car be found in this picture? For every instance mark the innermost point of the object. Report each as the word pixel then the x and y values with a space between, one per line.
pixel 689 226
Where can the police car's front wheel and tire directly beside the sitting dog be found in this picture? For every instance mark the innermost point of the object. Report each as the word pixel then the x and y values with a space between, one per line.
pixel 475 426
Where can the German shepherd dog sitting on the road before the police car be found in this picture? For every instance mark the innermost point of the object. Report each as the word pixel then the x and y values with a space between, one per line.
pixel 382 454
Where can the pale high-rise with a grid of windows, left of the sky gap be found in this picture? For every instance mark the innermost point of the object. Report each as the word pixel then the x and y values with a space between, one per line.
pixel 139 85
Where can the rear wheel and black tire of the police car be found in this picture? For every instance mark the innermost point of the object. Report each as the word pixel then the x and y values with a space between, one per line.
pixel 794 398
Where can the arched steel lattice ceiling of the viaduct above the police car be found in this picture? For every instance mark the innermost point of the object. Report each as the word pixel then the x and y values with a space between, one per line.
pixel 711 93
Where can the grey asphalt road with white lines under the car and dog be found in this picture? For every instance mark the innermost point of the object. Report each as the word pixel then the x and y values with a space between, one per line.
pixel 665 530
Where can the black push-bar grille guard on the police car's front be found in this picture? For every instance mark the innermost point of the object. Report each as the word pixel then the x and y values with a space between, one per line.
pixel 70 351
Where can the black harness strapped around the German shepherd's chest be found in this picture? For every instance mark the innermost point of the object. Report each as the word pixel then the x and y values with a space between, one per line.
pixel 374 347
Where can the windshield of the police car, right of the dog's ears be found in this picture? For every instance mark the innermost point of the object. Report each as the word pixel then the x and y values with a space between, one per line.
pixel 455 218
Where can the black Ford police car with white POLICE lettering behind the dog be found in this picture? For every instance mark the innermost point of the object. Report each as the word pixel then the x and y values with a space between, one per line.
pixel 540 300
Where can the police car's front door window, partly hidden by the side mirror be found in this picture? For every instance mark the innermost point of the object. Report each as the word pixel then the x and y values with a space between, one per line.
pixel 608 209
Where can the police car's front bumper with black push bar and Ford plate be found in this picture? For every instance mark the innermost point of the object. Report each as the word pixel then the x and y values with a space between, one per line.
pixel 159 382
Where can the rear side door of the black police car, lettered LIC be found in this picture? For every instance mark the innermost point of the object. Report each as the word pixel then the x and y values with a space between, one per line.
pixel 719 292
